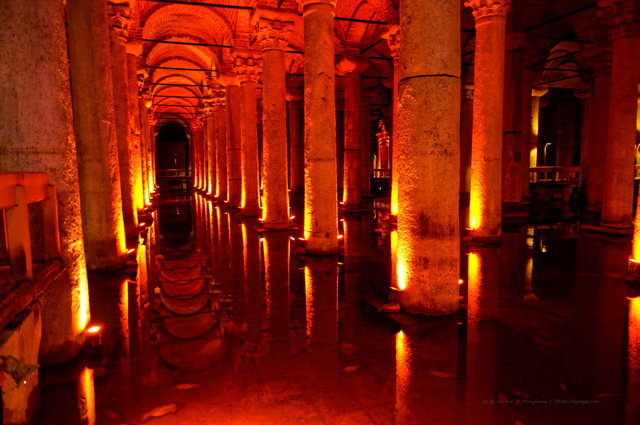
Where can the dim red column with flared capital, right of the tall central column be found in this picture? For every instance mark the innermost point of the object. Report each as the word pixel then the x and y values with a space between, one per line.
pixel 352 67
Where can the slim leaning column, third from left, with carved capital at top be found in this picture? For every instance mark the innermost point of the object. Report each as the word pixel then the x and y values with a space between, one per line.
pixel 119 14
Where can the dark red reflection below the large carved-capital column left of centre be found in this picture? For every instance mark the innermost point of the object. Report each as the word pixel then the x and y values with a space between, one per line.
pixel 276 261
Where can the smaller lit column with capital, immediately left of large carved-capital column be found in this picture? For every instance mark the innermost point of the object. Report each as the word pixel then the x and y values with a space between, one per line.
pixel 248 69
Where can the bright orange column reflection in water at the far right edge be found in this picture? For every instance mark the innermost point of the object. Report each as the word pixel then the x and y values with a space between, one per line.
pixel 633 363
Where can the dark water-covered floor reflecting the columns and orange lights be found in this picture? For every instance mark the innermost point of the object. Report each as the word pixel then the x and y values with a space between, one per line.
pixel 235 327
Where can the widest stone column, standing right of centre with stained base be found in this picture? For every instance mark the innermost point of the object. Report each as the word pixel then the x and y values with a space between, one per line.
pixel 429 157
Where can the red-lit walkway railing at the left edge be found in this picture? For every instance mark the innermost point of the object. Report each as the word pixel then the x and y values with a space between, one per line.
pixel 30 222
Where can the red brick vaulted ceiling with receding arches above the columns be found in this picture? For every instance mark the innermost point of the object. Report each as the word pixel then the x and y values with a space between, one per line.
pixel 198 38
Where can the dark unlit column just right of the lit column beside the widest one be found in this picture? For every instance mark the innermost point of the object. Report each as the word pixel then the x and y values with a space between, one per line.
pixel 512 142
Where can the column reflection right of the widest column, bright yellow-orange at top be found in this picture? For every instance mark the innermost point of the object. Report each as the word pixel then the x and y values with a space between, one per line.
pixel 482 305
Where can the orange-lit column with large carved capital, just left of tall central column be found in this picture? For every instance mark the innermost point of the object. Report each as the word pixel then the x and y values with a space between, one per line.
pixel 273 27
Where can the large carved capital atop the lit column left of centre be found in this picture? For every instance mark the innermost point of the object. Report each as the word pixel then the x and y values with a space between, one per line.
pixel 273 26
